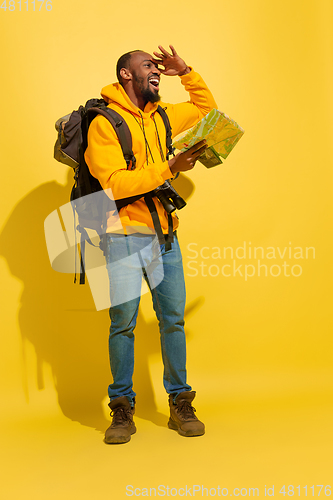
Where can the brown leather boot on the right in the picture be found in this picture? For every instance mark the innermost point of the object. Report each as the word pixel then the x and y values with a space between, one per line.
pixel 182 417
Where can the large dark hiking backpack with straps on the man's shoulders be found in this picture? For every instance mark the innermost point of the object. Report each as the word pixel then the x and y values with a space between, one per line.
pixel 69 149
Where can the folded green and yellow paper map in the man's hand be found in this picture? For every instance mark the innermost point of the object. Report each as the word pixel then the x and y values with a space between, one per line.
pixel 220 132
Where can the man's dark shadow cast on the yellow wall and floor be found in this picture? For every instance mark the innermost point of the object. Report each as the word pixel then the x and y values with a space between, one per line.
pixel 60 320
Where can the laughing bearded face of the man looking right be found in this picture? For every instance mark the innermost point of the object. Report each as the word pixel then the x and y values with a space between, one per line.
pixel 146 76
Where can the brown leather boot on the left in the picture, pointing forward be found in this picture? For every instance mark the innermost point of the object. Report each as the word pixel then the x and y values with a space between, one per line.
pixel 122 421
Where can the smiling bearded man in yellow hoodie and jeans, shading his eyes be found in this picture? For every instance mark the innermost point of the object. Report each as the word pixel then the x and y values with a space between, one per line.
pixel 135 97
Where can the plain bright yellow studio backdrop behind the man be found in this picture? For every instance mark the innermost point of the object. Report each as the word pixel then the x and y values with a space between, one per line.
pixel 259 350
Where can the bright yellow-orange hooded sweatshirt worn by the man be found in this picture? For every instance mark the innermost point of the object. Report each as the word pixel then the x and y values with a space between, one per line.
pixel 106 162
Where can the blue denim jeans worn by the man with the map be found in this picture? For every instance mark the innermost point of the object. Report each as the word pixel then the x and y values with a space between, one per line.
pixel 129 258
